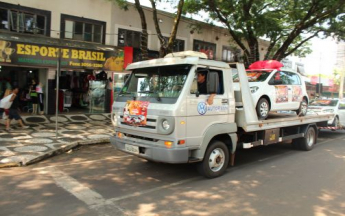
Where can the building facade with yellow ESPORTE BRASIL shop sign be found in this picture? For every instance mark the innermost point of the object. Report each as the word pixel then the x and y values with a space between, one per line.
pixel 95 38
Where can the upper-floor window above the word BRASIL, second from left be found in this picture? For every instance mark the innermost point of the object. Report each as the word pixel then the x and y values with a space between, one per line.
pixel 82 29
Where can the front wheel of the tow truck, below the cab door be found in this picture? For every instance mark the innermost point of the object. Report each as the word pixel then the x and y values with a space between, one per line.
pixel 215 161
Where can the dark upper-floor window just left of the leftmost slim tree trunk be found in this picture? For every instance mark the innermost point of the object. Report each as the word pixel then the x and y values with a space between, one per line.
pixel 128 38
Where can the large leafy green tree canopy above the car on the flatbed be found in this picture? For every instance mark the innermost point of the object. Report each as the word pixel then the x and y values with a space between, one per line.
pixel 288 25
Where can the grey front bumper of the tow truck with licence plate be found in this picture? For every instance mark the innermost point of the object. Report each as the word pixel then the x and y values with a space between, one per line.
pixel 158 154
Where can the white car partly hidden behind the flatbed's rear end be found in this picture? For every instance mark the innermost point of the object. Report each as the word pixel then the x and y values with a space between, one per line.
pixel 335 106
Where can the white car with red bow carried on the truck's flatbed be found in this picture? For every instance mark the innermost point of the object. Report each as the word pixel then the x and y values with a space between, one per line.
pixel 274 90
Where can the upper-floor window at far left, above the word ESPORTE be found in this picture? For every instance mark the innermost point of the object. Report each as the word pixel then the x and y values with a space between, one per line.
pixel 21 19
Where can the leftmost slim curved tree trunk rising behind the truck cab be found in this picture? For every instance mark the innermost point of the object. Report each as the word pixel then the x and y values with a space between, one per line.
pixel 144 34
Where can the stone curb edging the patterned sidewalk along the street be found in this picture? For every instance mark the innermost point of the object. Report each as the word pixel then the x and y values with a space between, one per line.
pixel 58 151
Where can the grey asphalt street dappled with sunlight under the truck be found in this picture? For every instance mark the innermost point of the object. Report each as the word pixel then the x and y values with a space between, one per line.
pixel 99 180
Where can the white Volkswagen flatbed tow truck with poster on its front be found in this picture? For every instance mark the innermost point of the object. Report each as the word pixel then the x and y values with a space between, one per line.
pixel 161 116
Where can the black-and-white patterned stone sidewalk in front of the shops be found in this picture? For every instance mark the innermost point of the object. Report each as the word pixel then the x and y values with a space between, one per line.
pixel 26 146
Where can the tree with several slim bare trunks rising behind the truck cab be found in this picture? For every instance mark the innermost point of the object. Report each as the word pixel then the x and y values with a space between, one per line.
pixel 166 46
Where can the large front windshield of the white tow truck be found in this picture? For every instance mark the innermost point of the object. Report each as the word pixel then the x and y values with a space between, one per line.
pixel 163 83
